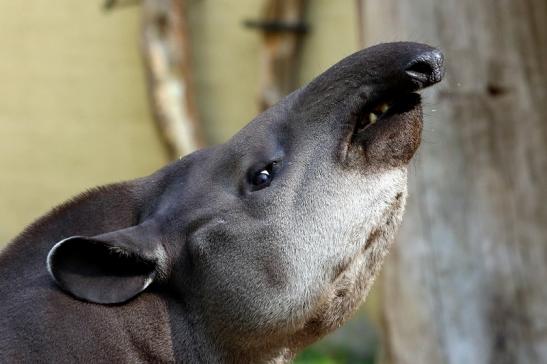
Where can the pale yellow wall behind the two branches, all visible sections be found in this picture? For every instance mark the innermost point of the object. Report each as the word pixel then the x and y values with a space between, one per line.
pixel 73 106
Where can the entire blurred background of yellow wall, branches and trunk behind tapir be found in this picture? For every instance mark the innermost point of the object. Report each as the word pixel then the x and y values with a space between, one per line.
pixel 96 92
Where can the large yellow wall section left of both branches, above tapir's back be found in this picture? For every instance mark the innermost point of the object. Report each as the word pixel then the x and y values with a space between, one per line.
pixel 73 111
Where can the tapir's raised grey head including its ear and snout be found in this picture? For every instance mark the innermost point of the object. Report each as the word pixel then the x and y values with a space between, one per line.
pixel 277 234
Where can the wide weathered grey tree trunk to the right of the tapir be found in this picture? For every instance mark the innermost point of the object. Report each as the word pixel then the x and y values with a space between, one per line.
pixel 467 280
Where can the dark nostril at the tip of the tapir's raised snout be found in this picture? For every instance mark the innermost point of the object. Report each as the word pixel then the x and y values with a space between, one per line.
pixel 427 68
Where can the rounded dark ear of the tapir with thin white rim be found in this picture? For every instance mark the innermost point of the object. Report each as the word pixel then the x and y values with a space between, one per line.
pixel 109 268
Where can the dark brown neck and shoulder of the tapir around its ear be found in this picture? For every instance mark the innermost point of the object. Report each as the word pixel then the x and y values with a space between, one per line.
pixel 39 322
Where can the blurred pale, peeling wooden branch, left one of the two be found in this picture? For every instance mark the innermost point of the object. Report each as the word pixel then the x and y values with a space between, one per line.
pixel 165 44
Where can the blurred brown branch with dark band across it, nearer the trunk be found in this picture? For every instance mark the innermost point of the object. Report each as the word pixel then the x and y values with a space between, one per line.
pixel 282 27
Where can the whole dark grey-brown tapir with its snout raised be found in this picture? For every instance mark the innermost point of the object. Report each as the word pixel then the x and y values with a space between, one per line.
pixel 245 252
